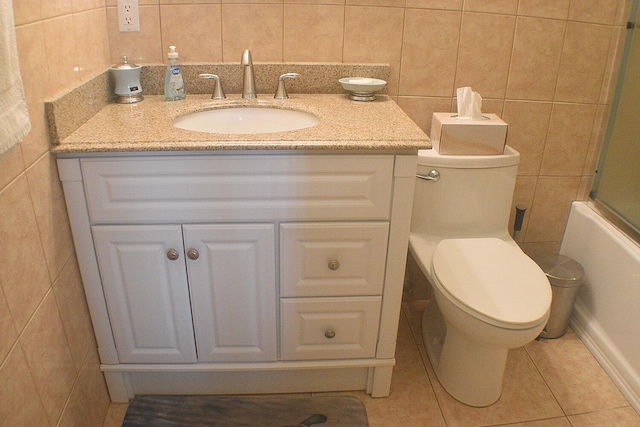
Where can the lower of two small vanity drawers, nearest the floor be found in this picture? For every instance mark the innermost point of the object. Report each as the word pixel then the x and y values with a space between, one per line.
pixel 329 328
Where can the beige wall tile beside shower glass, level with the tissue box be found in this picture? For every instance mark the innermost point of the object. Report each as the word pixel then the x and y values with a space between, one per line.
pixel 568 140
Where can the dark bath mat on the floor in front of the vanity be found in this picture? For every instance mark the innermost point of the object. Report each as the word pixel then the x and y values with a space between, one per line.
pixel 267 411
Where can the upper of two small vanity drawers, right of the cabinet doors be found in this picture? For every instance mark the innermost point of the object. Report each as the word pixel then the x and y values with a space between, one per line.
pixel 332 259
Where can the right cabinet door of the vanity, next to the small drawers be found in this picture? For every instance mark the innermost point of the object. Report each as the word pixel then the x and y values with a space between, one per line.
pixel 233 290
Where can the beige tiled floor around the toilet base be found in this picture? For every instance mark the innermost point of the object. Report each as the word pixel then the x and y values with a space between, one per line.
pixel 548 383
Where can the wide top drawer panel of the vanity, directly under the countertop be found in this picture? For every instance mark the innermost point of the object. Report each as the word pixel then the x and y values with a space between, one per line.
pixel 238 188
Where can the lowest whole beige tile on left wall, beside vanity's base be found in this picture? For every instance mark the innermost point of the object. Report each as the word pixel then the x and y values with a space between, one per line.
pixel 50 362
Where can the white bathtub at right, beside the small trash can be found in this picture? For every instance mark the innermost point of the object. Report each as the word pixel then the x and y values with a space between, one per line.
pixel 607 312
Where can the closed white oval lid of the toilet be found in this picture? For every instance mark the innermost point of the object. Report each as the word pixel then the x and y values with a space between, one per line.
pixel 494 279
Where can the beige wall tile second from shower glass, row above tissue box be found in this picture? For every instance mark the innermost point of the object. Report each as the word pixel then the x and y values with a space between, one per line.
pixel 535 60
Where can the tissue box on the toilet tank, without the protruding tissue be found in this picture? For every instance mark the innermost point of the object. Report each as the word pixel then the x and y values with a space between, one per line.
pixel 450 135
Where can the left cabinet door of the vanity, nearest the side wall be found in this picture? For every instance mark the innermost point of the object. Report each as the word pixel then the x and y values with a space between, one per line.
pixel 146 292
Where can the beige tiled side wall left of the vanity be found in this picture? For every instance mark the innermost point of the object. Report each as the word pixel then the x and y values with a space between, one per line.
pixel 49 367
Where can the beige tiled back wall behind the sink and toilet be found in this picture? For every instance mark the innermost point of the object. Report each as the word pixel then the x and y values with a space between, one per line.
pixel 545 66
